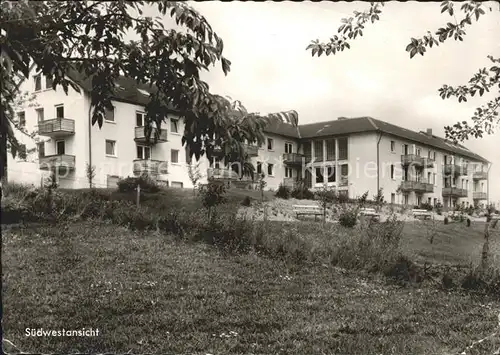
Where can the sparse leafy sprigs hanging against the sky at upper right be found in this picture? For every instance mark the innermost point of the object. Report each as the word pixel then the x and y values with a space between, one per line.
pixel 485 118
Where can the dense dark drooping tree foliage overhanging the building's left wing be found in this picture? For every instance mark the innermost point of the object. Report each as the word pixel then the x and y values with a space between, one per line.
pixel 63 39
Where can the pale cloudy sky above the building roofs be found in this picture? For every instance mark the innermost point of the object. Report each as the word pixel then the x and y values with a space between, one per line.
pixel 271 71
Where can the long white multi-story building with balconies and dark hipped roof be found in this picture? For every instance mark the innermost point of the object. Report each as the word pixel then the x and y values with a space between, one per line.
pixel 353 155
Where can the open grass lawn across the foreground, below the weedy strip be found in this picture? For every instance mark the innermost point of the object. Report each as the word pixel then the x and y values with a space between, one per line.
pixel 147 293
